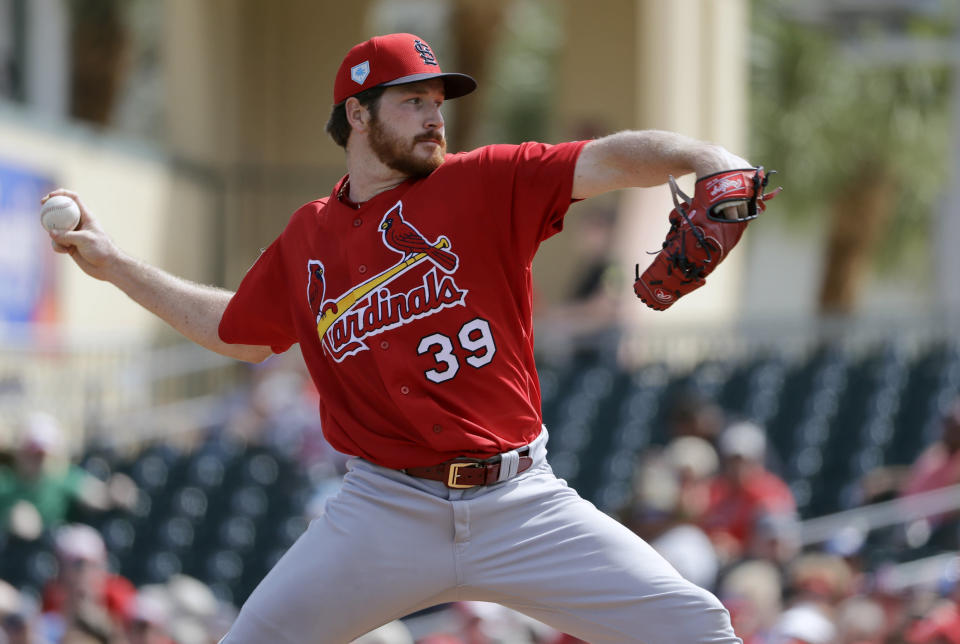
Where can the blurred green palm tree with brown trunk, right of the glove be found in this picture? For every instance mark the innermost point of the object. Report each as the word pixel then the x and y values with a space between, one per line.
pixel 860 136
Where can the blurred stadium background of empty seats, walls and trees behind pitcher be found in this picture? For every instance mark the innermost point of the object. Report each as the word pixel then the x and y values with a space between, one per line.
pixel 192 130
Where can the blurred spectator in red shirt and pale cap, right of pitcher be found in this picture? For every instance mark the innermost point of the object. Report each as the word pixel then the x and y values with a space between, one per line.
pixel 743 491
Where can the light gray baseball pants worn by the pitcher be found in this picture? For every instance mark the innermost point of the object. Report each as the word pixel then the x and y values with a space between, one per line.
pixel 389 544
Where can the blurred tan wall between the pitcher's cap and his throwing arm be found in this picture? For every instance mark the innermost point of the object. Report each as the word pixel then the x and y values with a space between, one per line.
pixel 249 92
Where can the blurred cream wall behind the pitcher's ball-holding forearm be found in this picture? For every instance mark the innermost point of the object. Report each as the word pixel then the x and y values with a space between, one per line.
pixel 152 210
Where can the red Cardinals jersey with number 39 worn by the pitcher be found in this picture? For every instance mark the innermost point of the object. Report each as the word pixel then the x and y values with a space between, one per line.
pixel 414 310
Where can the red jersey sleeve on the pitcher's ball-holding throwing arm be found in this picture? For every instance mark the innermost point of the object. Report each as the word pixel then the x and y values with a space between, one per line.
pixel 259 312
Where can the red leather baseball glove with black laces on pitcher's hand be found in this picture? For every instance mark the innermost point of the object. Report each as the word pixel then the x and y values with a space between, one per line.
pixel 700 237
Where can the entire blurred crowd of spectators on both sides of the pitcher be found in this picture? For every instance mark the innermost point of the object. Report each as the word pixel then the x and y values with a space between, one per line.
pixel 711 500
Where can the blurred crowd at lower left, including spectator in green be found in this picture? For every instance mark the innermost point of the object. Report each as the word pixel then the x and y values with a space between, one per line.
pixel 83 600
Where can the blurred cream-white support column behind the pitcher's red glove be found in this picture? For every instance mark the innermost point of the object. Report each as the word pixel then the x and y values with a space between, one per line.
pixel 692 73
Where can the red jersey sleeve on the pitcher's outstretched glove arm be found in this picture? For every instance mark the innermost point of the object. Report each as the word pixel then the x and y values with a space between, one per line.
pixel 539 178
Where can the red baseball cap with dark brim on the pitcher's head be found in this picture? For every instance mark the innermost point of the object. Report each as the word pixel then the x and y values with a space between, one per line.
pixel 394 59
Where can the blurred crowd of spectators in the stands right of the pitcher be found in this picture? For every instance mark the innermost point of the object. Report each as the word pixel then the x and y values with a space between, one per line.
pixel 712 502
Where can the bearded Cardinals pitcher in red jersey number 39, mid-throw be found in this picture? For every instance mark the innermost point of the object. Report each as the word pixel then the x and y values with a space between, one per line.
pixel 408 289
